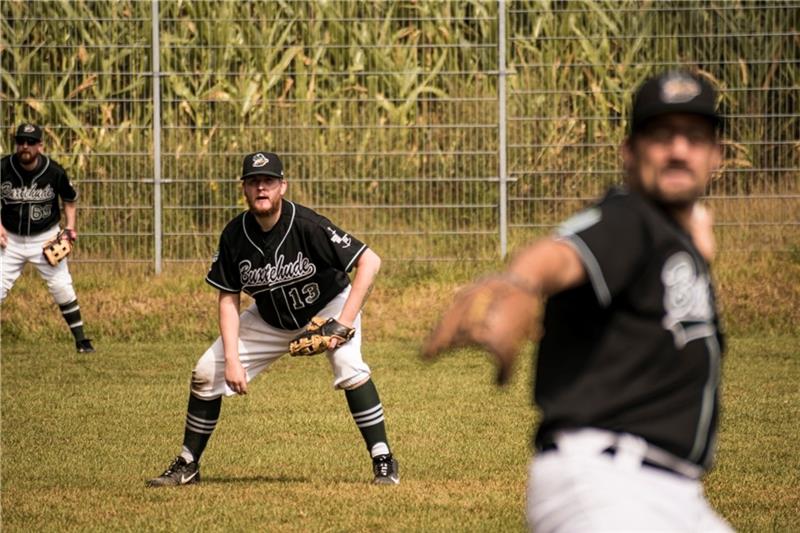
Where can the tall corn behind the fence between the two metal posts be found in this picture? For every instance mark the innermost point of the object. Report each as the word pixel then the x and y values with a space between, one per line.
pixel 345 90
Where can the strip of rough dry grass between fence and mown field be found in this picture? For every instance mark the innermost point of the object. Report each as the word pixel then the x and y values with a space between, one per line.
pixel 757 293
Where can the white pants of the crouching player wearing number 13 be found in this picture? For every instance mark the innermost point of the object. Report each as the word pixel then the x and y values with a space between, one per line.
pixel 260 345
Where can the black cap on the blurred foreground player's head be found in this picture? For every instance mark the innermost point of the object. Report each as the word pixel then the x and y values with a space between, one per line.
pixel 675 91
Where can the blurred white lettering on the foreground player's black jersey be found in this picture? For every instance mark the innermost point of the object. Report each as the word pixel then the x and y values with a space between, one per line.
pixel 687 300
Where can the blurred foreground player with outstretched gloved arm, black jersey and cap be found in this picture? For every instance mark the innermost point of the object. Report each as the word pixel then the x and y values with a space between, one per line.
pixel 628 367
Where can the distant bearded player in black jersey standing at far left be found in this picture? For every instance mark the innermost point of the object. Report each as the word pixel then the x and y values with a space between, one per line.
pixel 31 185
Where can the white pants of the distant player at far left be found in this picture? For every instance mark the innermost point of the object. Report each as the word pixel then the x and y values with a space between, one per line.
pixel 20 250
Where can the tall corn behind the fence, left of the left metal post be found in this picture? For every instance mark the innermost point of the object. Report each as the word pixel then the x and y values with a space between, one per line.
pixel 76 68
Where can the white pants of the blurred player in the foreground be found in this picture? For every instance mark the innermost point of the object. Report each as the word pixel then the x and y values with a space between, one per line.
pixel 578 488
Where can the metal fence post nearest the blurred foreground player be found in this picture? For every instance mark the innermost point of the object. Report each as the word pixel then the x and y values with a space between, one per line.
pixel 501 126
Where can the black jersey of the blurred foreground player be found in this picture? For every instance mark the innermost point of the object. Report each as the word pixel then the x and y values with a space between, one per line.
pixel 636 348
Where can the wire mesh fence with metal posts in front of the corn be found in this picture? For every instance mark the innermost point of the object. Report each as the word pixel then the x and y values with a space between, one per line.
pixel 434 130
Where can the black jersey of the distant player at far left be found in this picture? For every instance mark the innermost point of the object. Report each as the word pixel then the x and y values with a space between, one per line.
pixel 30 202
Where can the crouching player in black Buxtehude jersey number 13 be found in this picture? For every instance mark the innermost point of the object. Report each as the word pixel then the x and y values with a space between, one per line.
pixel 294 263
